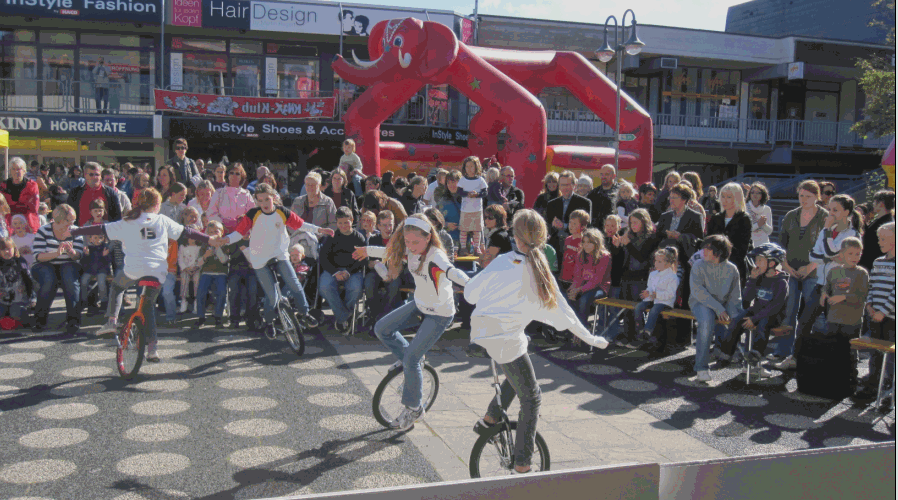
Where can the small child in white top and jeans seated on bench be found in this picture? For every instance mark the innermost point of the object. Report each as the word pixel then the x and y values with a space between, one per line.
pixel 659 295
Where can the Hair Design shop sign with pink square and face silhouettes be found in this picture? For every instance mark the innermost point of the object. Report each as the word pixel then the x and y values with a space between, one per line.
pixel 290 17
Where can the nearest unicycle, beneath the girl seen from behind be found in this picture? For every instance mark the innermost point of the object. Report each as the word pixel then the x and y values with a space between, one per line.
pixel 493 452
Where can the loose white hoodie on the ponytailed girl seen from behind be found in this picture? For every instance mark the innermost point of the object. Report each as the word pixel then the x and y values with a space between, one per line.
pixel 506 301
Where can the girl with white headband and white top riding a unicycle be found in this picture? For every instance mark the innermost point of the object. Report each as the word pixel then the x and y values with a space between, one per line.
pixel 416 242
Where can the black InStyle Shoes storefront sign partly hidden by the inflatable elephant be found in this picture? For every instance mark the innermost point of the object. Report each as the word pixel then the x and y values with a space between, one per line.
pixel 297 130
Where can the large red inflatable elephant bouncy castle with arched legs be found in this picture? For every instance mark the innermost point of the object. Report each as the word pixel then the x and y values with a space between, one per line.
pixel 409 54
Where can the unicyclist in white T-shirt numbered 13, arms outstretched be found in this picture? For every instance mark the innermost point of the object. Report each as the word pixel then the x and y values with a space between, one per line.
pixel 144 235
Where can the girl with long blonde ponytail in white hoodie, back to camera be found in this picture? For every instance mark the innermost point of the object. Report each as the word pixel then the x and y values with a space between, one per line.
pixel 514 290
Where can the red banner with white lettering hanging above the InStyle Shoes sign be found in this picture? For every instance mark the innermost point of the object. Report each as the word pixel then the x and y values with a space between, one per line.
pixel 245 107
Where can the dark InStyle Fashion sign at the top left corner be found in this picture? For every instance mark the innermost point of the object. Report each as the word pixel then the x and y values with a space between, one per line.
pixel 133 11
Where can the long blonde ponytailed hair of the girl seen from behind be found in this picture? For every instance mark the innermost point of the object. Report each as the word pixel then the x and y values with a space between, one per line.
pixel 530 233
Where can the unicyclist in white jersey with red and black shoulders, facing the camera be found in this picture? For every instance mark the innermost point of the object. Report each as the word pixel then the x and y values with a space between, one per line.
pixel 267 226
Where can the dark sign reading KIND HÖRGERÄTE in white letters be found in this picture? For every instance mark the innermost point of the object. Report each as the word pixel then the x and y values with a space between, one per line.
pixel 73 126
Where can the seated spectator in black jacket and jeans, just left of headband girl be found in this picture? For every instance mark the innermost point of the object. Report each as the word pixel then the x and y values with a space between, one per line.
pixel 338 266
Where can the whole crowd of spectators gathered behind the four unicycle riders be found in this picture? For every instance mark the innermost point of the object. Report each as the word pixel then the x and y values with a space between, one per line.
pixel 680 246
